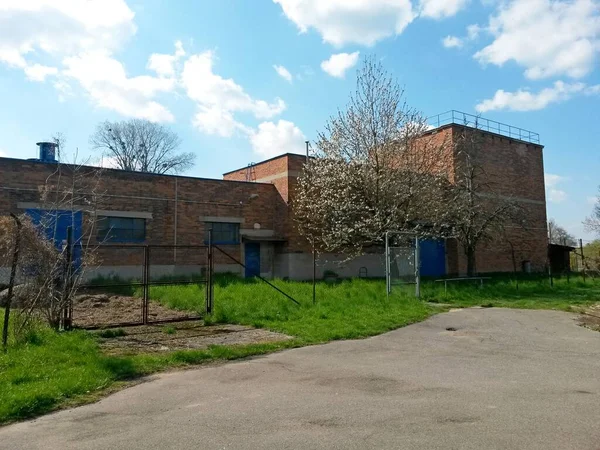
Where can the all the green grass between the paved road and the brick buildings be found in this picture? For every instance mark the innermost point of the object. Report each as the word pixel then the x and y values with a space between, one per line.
pixel 48 370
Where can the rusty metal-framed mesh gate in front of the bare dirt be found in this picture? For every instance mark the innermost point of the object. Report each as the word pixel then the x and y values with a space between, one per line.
pixel 118 290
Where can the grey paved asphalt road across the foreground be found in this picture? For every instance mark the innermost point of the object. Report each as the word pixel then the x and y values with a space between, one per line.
pixel 506 379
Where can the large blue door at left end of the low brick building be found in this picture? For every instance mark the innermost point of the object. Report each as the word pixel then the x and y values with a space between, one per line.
pixel 55 224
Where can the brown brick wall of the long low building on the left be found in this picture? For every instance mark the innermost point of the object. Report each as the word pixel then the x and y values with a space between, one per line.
pixel 163 196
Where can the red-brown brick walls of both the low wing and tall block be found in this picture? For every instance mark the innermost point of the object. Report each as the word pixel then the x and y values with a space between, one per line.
pixel 512 168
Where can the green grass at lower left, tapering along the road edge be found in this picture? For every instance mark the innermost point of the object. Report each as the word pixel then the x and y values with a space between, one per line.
pixel 66 369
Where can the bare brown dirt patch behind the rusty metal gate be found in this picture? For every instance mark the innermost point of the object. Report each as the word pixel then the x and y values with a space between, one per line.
pixel 100 309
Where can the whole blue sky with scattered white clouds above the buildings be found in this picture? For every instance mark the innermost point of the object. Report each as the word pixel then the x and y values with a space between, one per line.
pixel 240 81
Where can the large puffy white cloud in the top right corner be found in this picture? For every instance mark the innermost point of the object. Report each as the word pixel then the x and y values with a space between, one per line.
pixel 548 38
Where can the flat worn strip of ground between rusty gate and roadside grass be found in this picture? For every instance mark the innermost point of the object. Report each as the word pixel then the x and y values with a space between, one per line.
pixel 185 336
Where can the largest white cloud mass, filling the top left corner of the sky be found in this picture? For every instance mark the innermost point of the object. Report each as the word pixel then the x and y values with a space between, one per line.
pixel 80 38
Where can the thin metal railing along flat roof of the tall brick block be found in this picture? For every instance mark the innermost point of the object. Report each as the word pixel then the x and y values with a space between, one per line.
pixel 481 123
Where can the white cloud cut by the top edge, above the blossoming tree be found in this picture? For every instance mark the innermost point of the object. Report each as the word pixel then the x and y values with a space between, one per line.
pixel 342 22
